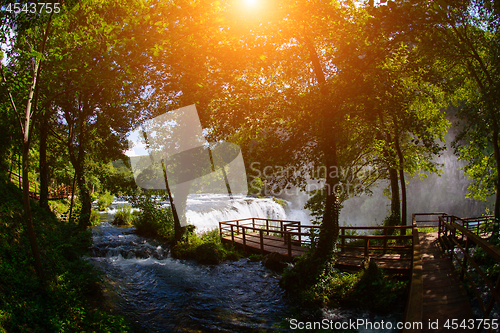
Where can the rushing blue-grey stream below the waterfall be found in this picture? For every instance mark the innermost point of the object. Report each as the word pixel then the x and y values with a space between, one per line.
pixel 158 293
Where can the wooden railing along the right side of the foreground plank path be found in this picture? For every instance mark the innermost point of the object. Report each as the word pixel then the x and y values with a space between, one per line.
pixel 455 236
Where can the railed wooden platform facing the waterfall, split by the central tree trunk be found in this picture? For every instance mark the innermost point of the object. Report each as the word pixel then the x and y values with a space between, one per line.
pixel 290 239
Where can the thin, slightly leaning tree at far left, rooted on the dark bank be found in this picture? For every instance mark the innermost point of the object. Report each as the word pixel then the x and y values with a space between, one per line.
pixel 25 49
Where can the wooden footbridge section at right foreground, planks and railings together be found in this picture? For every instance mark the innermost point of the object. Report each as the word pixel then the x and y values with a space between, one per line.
pixel 436 290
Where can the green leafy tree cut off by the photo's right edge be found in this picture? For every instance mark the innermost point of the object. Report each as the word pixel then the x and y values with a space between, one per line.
pixel 465 35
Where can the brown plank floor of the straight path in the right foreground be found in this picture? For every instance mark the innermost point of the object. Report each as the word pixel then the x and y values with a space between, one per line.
pixel 444 296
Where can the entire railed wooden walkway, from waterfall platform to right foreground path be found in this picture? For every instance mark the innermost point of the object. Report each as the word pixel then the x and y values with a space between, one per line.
pixel 436 293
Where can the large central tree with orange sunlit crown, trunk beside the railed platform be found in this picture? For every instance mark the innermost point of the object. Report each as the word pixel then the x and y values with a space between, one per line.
pixel 303 67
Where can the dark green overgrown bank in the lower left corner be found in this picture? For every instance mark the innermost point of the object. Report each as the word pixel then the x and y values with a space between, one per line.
pixel 70 300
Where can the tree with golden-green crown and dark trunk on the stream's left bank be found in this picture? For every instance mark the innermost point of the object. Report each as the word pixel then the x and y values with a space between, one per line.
pixel 99 83
